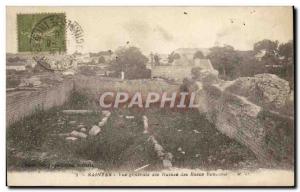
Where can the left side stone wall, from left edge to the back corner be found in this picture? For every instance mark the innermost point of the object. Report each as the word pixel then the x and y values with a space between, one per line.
pixel 23 103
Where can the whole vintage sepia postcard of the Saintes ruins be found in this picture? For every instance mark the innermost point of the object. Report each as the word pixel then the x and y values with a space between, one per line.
pixel 150 96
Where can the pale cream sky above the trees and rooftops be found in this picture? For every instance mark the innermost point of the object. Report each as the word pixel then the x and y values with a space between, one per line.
pixel 164 29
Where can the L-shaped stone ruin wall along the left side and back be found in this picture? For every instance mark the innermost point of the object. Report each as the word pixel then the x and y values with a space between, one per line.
pixel 23 103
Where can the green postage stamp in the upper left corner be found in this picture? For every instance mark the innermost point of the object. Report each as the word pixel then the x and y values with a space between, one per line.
pixel 43 32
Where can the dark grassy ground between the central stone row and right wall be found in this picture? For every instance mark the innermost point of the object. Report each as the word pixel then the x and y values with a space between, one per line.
pixel 203 145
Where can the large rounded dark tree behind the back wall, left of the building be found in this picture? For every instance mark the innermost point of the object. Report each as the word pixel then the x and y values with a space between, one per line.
pixel 132 62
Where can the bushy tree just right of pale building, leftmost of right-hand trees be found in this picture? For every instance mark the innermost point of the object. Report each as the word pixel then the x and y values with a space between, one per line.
pixel 225 60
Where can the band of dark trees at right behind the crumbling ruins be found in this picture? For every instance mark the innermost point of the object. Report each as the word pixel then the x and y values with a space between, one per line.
pixel 267 56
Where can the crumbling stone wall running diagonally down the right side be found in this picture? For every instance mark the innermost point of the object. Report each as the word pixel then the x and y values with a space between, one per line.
pixel 267 133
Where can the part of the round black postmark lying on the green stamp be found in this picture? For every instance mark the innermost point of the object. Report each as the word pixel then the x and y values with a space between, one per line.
pixel 48 35
